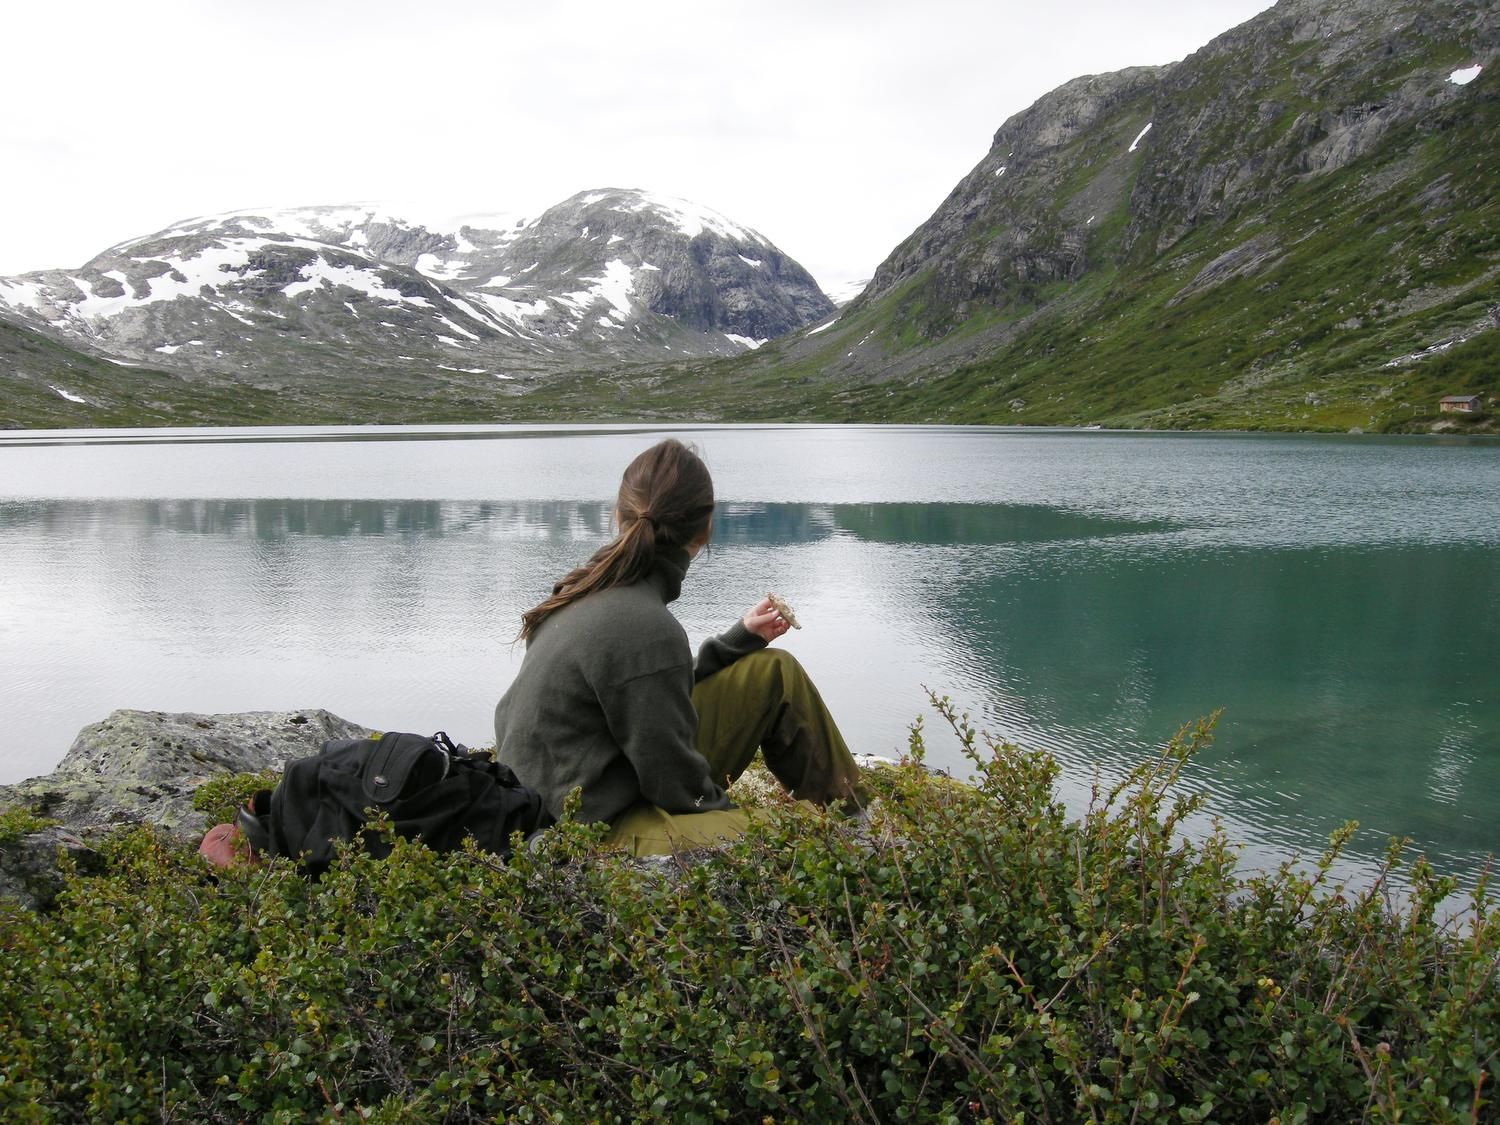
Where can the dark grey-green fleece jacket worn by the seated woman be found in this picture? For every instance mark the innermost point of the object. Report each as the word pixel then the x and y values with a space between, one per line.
pixel 604 703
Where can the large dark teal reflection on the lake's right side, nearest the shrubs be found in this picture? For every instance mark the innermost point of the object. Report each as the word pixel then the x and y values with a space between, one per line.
pixel 1340 674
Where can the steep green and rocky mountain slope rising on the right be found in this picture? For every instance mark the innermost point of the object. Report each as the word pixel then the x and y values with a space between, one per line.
pixel 1307 238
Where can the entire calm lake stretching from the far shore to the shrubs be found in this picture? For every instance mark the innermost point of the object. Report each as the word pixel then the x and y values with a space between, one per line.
pixel 1085 593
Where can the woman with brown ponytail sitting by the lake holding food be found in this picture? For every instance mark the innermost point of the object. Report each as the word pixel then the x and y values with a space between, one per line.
pixel 610 700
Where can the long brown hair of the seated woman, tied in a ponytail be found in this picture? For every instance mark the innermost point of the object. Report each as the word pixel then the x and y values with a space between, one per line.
pixel 667 500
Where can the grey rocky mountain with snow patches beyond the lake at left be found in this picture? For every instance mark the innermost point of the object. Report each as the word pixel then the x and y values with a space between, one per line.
pixel 323 292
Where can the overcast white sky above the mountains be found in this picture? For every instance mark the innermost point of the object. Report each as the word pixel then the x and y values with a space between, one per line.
pixel 835 128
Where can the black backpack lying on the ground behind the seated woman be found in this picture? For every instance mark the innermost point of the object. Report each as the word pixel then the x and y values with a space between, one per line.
pixel 430 788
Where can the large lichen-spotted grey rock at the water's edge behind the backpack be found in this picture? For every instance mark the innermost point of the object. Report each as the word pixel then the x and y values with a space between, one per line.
pixel 143 767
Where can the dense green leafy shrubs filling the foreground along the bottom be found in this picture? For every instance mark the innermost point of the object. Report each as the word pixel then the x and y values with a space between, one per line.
pixel 968 953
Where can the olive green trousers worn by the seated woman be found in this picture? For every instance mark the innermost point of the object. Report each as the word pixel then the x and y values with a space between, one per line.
pixel 767 703
